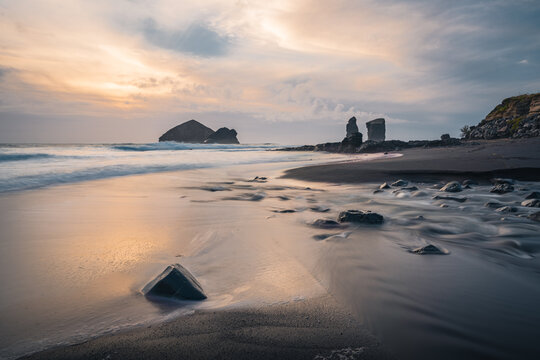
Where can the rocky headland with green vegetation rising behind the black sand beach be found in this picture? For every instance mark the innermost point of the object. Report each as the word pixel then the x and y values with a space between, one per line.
pixel 515 117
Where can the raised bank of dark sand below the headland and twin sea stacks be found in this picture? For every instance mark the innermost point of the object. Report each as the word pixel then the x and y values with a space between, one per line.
pixel 478 160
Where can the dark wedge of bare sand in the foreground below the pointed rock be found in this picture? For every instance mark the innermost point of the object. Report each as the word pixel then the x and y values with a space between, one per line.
pixel 316 328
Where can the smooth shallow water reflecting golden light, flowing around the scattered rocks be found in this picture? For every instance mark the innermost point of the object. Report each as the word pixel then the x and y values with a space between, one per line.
pixel 74 258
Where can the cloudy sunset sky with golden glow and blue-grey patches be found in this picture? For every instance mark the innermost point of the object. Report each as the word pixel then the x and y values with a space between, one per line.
pixel 290 72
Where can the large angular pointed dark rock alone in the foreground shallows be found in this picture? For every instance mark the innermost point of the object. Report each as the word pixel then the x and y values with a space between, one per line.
pixel 175 282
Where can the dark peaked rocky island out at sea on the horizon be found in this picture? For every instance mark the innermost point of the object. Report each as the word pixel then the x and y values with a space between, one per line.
pixel 193 131
